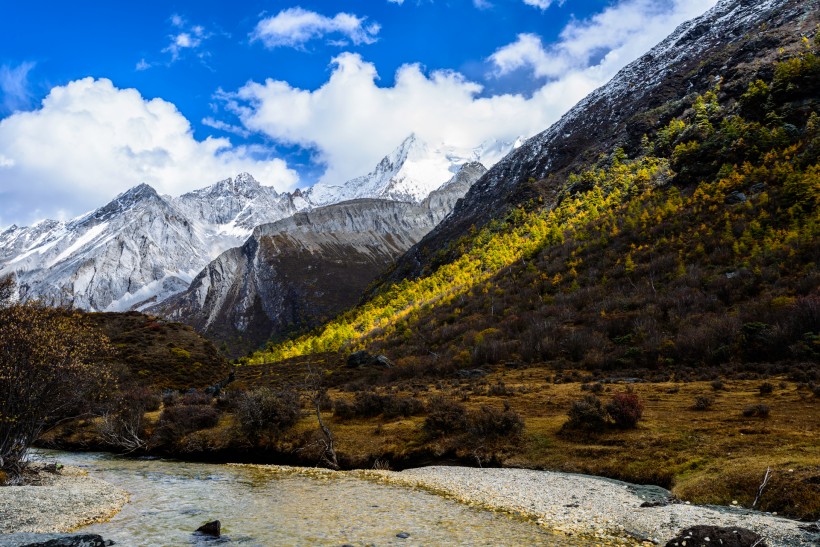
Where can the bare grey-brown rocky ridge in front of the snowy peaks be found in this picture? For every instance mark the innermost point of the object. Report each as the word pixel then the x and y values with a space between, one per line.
pixel 295 272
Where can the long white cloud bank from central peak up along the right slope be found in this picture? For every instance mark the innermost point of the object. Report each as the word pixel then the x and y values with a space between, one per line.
pixel 351 122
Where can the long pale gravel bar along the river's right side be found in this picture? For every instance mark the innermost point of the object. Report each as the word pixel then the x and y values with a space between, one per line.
pixel 592 506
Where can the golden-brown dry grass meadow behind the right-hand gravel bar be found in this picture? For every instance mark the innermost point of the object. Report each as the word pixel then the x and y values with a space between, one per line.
pixel 715 456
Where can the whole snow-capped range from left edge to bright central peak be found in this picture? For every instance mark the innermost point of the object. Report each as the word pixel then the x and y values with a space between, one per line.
pixel 141 248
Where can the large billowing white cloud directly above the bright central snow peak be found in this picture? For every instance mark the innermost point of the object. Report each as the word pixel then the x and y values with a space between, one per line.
pixel 352 122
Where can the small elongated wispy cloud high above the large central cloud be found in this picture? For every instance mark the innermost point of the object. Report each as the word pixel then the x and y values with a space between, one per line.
pixel 293 27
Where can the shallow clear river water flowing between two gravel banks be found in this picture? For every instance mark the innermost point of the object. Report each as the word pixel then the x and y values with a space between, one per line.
pixel 170 499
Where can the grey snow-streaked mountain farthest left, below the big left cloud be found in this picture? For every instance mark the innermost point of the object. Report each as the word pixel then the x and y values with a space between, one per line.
pixel 136 247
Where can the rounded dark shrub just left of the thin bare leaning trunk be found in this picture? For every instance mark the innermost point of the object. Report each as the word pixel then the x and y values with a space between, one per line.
pixel 264 411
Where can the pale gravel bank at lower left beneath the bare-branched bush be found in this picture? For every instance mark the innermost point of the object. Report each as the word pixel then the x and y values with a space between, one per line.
pixel 60 500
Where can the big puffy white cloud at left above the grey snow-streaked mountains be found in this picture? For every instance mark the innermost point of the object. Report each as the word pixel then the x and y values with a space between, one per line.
pixel 89 141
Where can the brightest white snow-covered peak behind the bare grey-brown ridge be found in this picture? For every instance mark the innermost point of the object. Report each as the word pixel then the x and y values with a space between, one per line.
pixel 411 172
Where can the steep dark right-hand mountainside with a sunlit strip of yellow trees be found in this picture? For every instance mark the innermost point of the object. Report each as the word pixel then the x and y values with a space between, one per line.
pixel 670 247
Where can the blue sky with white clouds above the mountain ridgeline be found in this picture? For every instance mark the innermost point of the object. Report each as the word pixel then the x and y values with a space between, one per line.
pixel 98 96
